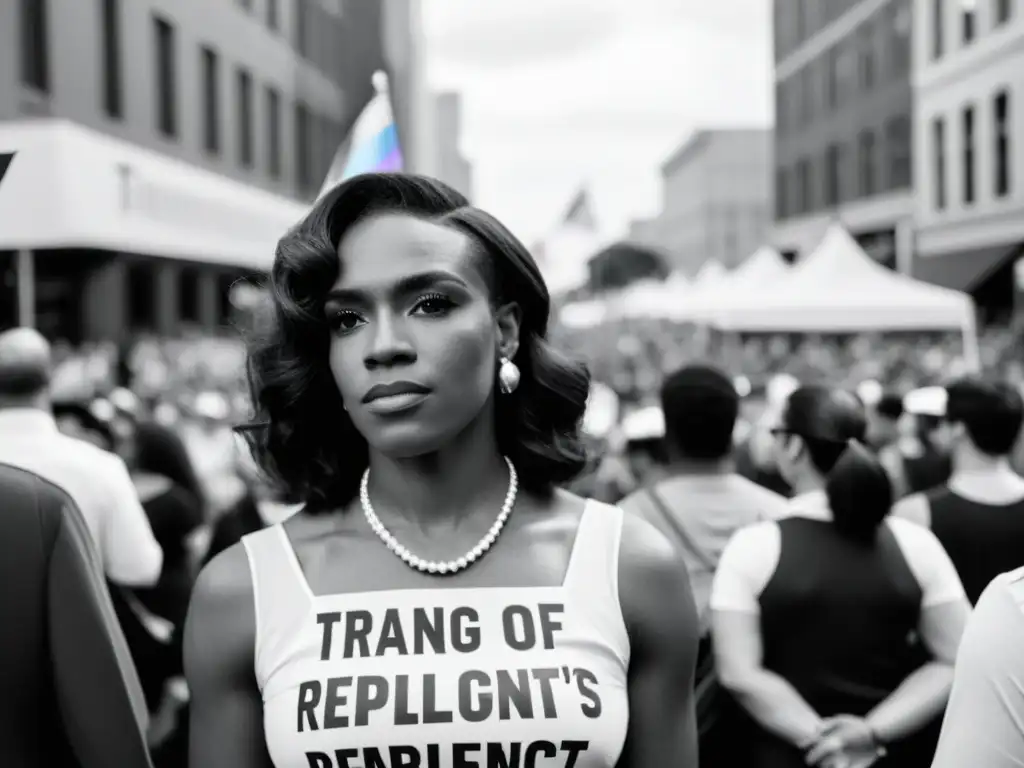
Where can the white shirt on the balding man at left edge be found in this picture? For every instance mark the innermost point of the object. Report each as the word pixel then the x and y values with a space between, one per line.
pixel 100 485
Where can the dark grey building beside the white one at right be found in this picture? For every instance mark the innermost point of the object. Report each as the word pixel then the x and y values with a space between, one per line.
pixel 843 125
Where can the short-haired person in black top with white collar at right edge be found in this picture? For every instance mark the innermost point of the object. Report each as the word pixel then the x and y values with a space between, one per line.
pixel 979 515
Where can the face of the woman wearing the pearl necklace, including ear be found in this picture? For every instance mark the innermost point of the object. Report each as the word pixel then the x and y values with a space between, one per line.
pixel 415 342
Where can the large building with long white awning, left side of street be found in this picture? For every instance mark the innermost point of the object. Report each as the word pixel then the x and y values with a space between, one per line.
pixel 162 147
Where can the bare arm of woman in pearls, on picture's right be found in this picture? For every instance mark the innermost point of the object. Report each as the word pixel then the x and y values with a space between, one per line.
pixel 658 608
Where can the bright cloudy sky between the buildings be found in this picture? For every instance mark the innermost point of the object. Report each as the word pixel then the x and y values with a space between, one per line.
pixel 560 94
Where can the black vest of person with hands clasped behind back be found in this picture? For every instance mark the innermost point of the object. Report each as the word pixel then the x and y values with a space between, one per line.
pixel 839 622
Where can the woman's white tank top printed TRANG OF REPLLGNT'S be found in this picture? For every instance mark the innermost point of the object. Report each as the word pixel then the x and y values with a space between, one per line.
pixel 445 678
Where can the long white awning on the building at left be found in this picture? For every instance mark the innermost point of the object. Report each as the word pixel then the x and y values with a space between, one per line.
pixel 70 187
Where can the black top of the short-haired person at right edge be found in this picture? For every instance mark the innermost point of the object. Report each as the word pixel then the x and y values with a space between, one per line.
pixel 983 540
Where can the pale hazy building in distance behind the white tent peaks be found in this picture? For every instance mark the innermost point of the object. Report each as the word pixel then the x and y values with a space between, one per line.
pixel 717 199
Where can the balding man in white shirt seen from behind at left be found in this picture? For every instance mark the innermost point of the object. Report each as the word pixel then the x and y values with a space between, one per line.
pixel 98 482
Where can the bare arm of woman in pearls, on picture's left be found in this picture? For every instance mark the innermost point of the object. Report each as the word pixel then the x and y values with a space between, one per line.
pixel 227 711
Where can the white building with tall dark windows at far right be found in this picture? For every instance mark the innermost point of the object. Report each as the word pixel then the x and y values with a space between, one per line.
pixel 969 90
